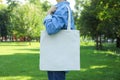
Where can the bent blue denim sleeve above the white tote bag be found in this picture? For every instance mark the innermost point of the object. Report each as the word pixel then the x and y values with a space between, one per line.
pixel 55 22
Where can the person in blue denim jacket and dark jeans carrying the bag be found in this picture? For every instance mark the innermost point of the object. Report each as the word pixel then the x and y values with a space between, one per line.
pixel 56 20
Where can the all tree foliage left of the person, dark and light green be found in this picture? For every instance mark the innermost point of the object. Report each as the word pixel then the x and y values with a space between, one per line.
pixel 22 20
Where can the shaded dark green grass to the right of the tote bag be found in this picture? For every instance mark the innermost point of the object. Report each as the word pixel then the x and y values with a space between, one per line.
pixel 96 65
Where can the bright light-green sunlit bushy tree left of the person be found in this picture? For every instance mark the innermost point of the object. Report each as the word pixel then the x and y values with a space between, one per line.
pixel 26 20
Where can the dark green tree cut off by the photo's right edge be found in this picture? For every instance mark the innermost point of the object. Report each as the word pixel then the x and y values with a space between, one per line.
pixel 110 18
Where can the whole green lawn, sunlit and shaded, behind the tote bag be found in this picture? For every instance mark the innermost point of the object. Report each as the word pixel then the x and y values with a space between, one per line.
pixel 20 61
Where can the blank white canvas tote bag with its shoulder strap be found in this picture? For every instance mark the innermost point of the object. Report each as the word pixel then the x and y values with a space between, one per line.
pixel 60 51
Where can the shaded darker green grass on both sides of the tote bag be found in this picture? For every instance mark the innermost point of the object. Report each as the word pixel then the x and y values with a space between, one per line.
pixel 95 65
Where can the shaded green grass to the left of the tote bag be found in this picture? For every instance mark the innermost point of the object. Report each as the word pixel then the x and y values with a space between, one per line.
pixel 21 65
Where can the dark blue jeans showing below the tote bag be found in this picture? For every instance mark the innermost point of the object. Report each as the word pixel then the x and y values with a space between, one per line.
pixel 56 75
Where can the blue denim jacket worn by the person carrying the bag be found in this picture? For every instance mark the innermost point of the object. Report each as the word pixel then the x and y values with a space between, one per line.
pixel 59 19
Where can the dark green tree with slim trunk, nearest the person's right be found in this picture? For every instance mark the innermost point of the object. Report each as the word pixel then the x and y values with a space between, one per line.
pixel 89 22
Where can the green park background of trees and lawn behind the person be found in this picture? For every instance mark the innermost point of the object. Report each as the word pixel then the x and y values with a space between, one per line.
pixel 99 25
